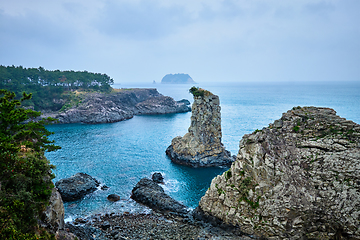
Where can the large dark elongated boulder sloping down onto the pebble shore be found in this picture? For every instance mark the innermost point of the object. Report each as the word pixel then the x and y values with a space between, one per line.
pixel 152 195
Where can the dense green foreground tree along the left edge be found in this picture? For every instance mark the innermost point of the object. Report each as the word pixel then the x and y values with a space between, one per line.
pixel 25 173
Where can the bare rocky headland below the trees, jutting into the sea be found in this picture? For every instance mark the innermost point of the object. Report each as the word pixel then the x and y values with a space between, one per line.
pixel 122 105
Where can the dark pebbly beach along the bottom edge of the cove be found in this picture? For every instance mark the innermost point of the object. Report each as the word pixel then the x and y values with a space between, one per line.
pixel 149 226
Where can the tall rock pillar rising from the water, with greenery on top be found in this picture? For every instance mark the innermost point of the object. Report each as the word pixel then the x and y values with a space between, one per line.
pixel 201 146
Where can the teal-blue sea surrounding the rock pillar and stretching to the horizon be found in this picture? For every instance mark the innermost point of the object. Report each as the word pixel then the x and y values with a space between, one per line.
pixel 120 154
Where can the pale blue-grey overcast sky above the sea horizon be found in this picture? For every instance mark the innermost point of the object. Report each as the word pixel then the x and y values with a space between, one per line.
pixel 211 40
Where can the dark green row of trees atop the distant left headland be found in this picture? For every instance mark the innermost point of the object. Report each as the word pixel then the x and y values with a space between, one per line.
pixel 49 85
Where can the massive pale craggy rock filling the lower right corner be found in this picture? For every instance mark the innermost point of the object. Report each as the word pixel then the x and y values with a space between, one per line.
pixel 299 178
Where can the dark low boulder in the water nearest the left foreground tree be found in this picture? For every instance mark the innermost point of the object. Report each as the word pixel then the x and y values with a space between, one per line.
pixel 76 186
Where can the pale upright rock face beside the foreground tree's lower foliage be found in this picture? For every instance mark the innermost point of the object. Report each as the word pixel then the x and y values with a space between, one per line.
pixel 53 217
